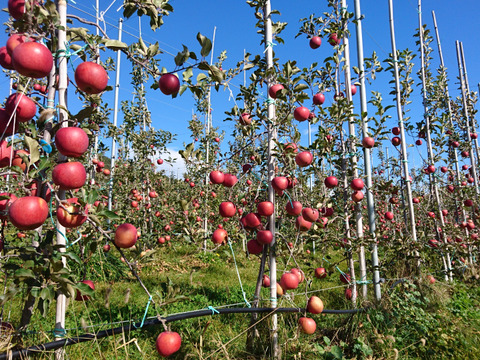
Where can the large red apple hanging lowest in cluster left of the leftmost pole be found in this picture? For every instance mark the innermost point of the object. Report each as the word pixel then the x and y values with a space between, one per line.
pixel 28 213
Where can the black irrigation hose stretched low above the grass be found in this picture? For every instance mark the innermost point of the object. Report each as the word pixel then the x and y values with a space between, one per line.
pixel 22 353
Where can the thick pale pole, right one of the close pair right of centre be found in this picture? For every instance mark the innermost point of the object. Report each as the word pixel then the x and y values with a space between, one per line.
pixel 367 154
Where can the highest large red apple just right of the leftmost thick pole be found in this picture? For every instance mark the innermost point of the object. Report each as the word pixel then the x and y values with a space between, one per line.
pixel 91 77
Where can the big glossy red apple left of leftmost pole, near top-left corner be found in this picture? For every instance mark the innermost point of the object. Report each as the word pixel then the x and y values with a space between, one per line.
pixel 32 59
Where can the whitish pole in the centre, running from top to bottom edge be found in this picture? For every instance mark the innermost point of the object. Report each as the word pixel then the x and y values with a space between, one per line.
pixel 272 135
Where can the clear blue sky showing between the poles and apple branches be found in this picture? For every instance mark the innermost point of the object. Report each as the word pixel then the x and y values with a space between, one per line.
pixel 235 32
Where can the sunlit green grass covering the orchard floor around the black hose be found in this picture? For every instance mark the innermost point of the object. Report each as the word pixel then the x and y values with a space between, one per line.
pixel 414 321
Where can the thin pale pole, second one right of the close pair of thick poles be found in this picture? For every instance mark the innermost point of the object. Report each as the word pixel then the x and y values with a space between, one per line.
pixel 440 234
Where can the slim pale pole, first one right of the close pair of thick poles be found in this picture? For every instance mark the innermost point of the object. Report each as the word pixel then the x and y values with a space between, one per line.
pixel 413 230
